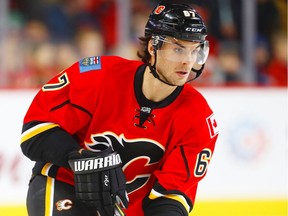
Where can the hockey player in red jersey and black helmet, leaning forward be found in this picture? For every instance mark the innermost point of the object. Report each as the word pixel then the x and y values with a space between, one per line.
pixel 112 136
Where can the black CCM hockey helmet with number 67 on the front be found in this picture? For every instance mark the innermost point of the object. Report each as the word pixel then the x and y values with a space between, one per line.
pixel 178 20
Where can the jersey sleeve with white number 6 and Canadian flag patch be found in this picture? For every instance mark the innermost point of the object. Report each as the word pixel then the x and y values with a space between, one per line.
pixel 183 168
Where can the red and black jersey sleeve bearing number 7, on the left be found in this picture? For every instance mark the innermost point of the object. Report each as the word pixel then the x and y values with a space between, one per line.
pixel 59 114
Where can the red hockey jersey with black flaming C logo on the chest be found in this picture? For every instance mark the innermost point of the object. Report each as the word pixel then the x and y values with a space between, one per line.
pixel 99 100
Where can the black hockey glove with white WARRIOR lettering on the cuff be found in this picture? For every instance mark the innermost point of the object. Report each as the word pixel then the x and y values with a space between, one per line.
pixel 99 180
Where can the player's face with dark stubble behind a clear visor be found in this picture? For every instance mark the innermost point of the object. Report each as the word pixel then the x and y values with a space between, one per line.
pixel 175 60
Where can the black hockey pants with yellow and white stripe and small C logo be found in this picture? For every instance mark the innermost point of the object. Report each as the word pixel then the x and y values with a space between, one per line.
pixel 49 197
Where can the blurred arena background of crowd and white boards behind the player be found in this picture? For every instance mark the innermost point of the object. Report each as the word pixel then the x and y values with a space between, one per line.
pixel 245 81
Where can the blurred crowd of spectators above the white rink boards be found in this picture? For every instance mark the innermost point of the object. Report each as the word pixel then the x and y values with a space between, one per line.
pixel 46 36
